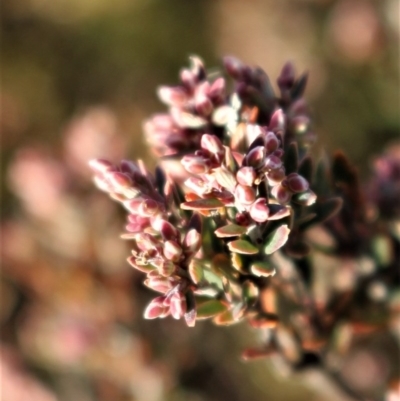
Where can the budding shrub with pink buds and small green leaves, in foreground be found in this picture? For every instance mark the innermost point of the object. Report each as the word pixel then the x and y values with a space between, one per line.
pixel 238 221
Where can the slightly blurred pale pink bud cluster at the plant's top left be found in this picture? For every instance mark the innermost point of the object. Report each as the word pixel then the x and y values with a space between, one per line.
pixel 191 105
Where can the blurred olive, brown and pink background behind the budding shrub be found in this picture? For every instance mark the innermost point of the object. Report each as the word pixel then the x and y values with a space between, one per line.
pixel 77 80
